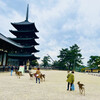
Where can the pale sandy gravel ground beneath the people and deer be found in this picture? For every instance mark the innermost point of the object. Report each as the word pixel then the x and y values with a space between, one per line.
pixel 54 87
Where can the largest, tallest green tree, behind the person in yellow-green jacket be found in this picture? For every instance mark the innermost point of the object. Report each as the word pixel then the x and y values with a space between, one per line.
pixel 70 58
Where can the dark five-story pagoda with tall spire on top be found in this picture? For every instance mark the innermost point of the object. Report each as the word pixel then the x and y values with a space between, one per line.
pixel 25 36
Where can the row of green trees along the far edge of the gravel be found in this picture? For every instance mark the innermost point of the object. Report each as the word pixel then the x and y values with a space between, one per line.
pixel 70 59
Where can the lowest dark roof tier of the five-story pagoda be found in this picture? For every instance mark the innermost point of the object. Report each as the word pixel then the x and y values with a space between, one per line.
pixel 22 56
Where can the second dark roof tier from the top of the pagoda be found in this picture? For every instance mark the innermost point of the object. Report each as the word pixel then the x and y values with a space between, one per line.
pixel 27 33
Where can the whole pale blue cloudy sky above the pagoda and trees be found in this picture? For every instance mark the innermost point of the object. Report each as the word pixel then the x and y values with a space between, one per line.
pixel 61 24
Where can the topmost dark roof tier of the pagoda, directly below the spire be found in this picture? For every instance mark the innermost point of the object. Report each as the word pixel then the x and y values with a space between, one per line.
pixel 25 25
